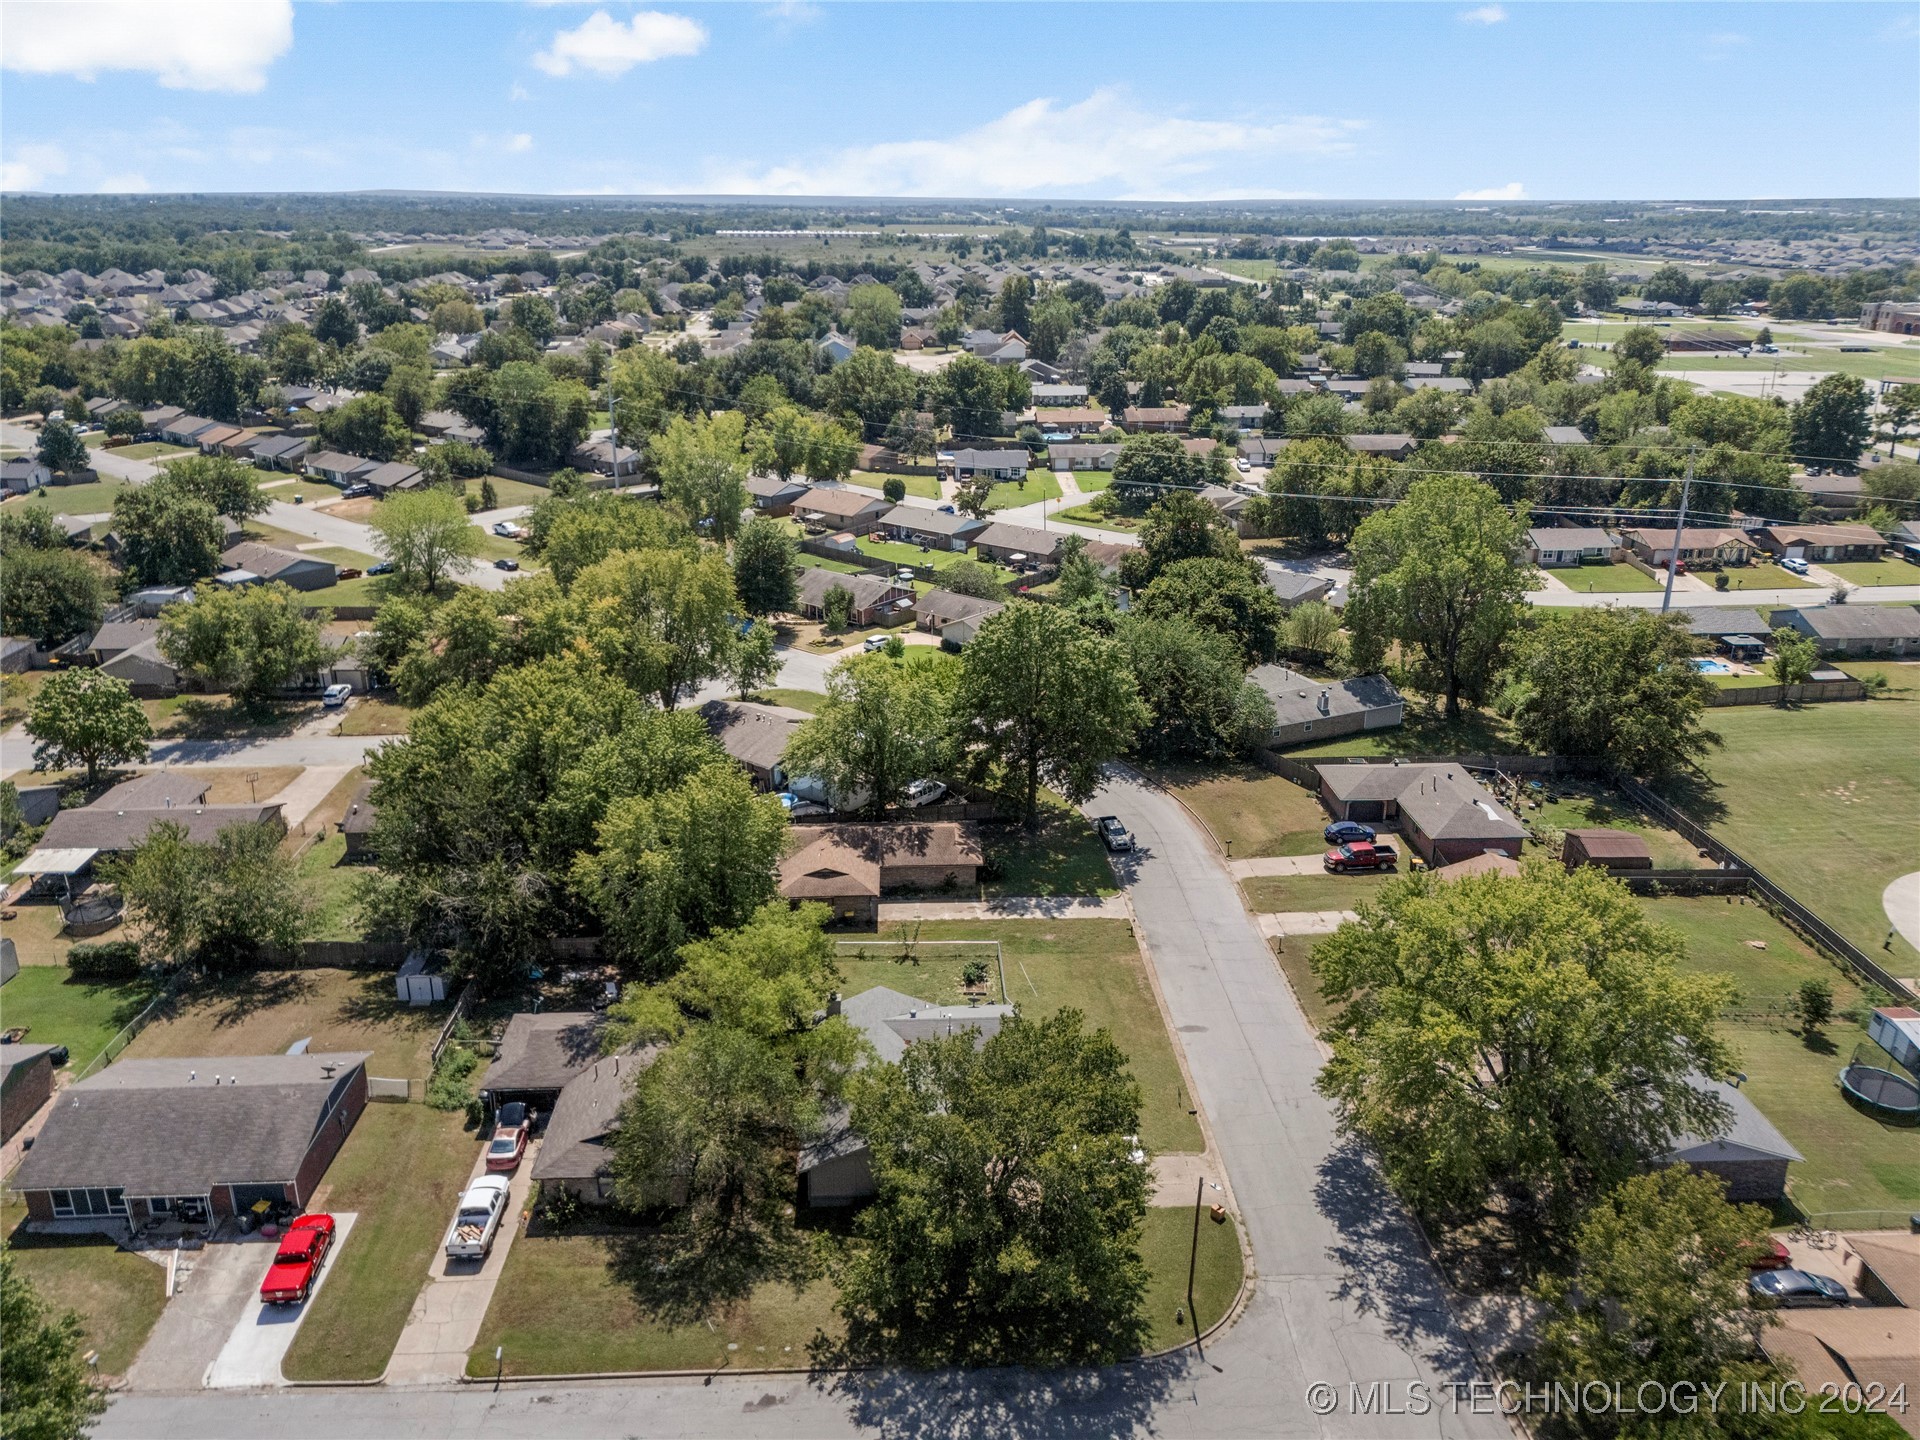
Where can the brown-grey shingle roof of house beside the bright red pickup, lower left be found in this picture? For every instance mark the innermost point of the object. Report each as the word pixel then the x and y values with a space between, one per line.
pixel 166 1128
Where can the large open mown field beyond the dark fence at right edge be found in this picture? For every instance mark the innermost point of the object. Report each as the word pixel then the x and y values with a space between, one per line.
pixel 1827 802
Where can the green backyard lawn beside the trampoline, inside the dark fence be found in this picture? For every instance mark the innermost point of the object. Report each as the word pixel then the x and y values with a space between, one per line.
pixel 1852 1161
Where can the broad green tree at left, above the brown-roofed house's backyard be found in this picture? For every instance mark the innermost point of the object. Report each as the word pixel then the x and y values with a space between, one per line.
pixel 220 905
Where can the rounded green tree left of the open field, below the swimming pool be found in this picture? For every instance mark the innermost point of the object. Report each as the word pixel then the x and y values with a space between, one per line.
pixel 1618 686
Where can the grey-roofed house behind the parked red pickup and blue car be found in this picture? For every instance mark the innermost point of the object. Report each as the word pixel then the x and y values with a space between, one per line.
pixel 1443 813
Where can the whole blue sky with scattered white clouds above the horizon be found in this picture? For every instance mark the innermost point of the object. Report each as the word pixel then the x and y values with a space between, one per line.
pixel 996 101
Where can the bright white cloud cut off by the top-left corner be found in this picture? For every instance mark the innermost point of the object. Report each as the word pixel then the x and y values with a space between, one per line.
pixel 187 45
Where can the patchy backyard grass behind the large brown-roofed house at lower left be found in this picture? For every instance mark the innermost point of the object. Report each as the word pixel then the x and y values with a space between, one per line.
pixel 270 1011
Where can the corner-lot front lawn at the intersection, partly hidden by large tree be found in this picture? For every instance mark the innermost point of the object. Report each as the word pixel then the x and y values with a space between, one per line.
pixel 560 1308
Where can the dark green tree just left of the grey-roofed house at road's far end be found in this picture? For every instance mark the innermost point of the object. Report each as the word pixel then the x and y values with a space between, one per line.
pixel 1199 706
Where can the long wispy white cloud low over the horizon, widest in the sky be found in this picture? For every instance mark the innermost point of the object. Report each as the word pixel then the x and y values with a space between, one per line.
pixel 1045 147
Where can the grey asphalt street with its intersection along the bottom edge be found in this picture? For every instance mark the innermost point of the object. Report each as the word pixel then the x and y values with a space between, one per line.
pixel 1343 1295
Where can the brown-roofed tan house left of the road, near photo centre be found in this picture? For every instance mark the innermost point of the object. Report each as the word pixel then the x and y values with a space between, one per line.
pixel 848 867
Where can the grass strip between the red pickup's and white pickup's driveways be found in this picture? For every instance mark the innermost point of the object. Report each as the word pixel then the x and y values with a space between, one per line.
pixel 400 1172
